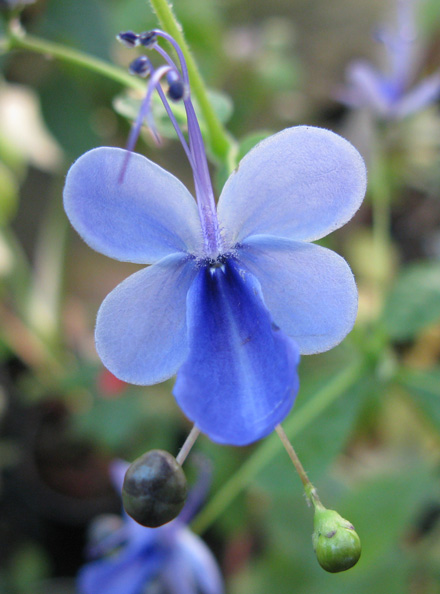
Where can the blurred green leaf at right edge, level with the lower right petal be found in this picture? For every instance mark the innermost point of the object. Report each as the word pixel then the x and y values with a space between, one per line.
pixel 414 302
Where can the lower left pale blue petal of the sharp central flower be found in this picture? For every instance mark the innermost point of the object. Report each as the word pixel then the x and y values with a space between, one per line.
pixel 141 332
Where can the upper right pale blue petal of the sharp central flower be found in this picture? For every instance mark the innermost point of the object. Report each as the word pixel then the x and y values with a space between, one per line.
pixel 301 183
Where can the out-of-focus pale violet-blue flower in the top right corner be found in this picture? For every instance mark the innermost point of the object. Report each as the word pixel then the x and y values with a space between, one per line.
pixel 392 94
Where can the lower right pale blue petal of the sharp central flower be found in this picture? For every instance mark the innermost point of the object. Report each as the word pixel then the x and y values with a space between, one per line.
pixel 309 290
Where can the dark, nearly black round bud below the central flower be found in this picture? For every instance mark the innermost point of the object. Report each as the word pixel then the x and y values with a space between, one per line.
pixel 154 489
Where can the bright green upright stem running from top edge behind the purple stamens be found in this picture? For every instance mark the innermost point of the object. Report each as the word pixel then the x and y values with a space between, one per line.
pixel 218 139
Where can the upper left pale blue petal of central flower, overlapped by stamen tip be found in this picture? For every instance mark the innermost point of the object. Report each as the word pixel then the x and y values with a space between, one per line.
pixel 143 218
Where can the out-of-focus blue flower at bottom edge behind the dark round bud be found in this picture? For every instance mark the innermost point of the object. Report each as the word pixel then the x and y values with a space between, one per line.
pixel 137 560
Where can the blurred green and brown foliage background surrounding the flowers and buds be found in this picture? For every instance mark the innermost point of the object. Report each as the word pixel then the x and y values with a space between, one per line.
pixel 373 452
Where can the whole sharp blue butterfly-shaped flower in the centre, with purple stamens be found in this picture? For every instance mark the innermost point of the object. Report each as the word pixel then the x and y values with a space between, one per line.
pixel 233 293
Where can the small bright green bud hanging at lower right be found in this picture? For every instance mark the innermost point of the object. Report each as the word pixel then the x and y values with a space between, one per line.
pixel 337 545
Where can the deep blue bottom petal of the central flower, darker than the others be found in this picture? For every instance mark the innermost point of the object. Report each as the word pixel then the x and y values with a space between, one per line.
pixel 240 378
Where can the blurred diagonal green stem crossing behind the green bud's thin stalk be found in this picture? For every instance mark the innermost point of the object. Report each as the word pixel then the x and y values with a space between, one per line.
pixel 268 449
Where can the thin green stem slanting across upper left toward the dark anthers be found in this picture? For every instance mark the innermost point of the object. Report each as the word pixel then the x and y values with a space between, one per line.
pixel 18 39
